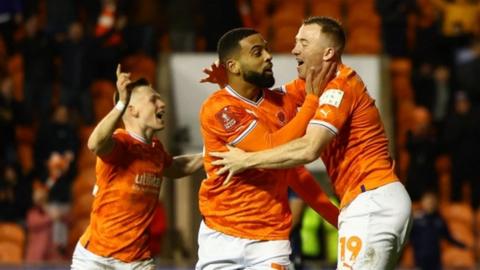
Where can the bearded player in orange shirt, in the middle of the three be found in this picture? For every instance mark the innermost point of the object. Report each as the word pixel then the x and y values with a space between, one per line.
pixel 246 224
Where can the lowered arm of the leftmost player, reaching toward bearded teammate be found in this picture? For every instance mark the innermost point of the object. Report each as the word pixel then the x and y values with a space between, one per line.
pixel 184 165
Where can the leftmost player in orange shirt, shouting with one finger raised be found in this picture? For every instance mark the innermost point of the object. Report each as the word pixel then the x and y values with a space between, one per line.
pixel 130 165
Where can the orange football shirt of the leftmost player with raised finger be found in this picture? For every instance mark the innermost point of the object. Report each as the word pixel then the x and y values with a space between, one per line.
pixel 127 187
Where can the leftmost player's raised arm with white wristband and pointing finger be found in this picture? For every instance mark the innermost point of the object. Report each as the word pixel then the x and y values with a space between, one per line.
pixel 100 141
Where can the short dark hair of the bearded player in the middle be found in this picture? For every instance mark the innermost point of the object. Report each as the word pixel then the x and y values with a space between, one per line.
pixel 230 41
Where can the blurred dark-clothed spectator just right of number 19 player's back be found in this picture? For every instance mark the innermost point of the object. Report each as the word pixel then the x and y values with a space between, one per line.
pixel 423 150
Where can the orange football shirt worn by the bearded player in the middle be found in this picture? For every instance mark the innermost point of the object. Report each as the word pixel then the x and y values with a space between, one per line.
pixel 254 205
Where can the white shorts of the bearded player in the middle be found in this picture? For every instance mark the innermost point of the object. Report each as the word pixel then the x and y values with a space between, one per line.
pixel 220 251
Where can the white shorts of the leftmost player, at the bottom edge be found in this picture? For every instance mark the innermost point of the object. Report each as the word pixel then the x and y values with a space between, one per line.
pixel 83 259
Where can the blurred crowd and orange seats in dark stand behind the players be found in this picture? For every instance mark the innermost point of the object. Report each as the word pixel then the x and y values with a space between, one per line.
pixel 57 62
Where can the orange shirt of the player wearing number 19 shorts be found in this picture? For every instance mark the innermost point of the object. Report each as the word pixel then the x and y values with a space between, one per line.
pixel 358 158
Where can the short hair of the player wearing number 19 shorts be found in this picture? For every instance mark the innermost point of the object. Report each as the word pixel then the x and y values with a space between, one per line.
pixel 330 27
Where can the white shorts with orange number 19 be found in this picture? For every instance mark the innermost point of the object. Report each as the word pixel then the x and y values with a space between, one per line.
pixel 373 228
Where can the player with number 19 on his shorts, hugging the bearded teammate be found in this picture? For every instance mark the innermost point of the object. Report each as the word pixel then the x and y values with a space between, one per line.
pixel 347 133
